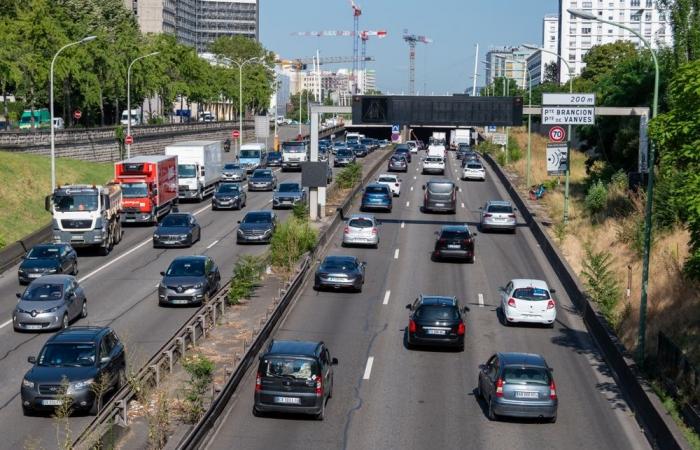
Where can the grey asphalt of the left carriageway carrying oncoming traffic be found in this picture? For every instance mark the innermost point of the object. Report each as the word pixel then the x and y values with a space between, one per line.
pixel 121 292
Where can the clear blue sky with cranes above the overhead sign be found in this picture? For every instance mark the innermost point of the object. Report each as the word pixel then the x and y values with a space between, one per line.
pixel 444 66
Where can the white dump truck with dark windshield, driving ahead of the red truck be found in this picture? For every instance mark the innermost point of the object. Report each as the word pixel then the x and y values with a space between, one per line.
pixel 86 215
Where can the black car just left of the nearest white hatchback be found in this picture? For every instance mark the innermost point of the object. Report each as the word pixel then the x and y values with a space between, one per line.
pixel 436 320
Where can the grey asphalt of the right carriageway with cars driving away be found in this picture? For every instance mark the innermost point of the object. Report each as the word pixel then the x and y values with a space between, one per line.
pixel 388 397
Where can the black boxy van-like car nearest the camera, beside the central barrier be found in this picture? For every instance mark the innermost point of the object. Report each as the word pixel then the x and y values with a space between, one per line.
pixel 294 377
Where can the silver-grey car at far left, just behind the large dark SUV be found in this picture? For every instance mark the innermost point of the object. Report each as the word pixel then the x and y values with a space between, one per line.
pixel 49 303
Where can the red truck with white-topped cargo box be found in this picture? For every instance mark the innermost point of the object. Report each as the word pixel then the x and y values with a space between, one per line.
pixel 149 187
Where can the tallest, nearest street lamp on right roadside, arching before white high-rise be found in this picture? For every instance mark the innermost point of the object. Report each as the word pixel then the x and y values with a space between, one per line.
pixel 650 184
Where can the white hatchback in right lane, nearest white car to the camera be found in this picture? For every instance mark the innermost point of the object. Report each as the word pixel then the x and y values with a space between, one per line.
pixel 528 301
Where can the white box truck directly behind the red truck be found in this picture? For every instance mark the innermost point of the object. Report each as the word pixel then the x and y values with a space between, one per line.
pixel 199 165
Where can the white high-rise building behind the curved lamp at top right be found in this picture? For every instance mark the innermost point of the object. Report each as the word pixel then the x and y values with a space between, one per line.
pixel 577 36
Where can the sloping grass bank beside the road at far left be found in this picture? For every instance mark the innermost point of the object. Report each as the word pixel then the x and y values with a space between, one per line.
pixel 26 180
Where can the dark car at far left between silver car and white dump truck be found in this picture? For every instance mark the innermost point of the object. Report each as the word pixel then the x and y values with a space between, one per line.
pixel 45 259
